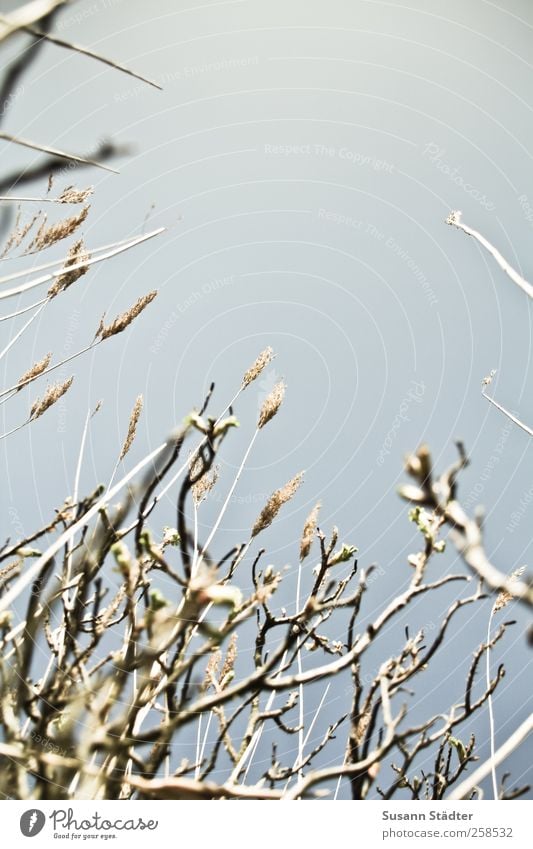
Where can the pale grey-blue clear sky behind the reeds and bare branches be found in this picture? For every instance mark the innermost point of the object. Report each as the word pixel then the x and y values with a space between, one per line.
pixel 303 158
